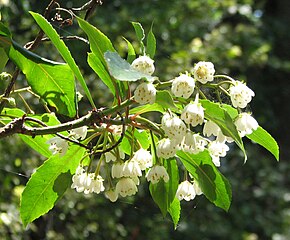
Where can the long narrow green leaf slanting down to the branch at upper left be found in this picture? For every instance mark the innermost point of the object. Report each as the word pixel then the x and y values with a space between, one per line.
pixel 63 50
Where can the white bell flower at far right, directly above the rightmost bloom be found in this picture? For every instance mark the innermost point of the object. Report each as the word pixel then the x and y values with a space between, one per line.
pixel 240 94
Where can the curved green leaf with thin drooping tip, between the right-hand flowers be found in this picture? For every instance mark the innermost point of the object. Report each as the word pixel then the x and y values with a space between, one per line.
pixel 220 116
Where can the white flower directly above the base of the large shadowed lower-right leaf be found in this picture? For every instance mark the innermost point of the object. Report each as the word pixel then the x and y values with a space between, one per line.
pixel 193 143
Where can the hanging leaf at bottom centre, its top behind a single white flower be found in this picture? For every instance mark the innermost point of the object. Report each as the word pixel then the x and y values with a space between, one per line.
pixel 163 193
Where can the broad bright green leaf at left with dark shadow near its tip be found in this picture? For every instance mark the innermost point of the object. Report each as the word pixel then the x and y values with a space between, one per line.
pixel 52 82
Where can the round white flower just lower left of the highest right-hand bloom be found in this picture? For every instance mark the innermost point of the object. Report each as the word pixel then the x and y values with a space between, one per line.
pixel 183 86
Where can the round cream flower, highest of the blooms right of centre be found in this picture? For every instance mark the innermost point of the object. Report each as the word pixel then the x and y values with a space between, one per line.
pixel 203 72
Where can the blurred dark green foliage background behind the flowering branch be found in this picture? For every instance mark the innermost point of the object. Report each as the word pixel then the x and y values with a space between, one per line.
pixel 244 38
